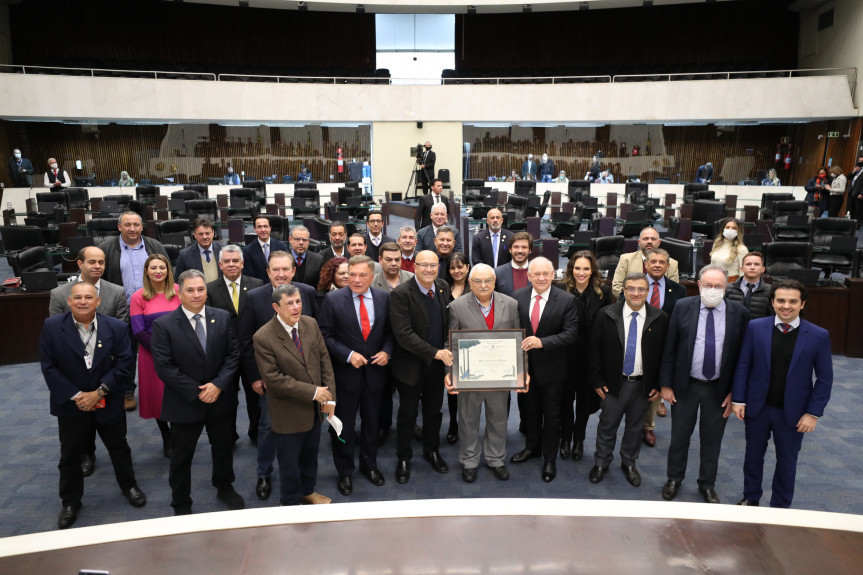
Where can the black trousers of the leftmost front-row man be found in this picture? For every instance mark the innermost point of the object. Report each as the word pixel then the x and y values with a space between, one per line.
pixel 75 434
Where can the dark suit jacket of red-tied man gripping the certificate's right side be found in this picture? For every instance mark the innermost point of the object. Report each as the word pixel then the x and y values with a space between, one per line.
pixel 557 329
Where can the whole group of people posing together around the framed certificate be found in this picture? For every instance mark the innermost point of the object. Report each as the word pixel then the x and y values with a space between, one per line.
pixel 313 336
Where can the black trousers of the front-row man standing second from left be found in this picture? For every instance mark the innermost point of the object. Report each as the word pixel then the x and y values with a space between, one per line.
pixel 184 440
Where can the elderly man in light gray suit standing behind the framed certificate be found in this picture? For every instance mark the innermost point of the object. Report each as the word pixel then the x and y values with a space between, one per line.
pixel 483 309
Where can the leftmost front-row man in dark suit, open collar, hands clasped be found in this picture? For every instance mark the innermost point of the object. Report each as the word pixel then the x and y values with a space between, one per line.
pixel 86 361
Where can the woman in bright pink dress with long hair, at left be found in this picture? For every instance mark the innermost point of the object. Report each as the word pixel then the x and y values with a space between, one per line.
pixel 158 297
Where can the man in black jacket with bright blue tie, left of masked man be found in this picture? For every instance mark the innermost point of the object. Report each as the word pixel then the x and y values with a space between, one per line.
pixel 625 351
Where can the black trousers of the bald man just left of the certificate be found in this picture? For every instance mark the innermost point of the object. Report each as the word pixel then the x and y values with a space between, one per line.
pixel 430 389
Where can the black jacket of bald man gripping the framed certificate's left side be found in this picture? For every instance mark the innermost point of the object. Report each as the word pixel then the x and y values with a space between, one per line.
pixel 409 320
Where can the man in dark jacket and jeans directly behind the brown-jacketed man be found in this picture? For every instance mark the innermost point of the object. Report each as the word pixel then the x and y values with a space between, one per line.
pixel 259 301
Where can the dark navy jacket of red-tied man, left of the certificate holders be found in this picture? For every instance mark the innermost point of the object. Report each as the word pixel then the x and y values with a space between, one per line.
pixel 342 333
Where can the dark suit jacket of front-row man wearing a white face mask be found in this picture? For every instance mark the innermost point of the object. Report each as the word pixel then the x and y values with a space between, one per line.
pixel 680 345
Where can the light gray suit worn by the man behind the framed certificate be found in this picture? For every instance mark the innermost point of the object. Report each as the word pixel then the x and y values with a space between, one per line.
pixel 465 314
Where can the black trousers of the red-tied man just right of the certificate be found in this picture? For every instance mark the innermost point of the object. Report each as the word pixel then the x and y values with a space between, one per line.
pixel 540 408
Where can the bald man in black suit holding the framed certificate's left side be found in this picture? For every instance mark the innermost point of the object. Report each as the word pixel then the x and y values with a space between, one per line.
pixel 420 318
